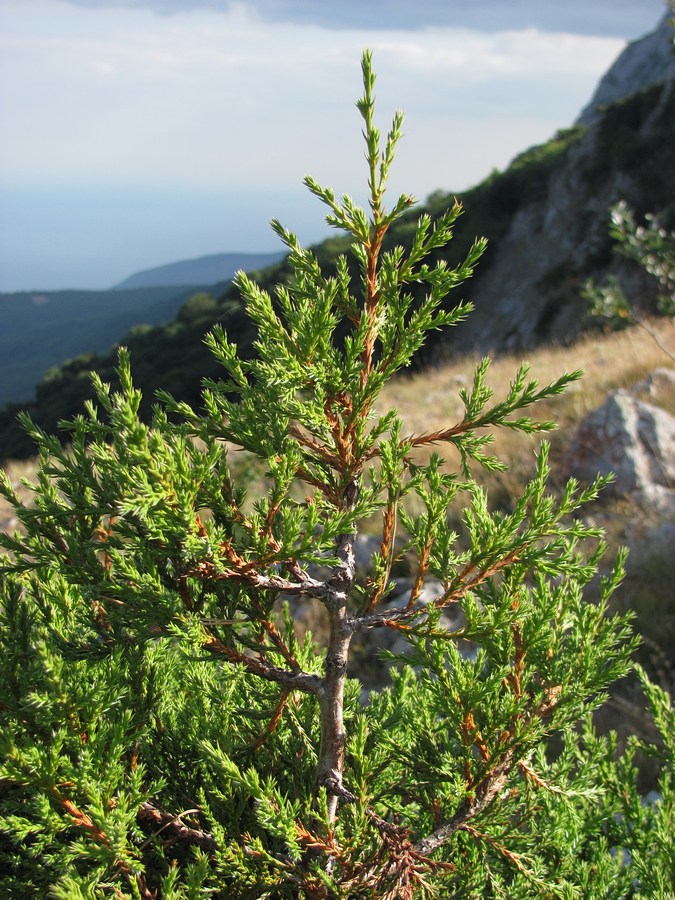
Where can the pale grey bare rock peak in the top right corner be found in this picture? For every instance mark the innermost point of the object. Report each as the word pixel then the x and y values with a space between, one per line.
pixel 642 64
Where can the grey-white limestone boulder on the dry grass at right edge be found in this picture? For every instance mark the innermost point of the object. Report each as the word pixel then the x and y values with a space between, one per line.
pixel 633 439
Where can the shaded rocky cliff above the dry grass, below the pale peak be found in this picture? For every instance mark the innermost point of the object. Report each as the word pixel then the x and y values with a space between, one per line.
pixel 528 288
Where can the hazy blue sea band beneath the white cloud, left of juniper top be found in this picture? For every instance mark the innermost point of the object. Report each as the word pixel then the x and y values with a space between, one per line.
pixel 92 236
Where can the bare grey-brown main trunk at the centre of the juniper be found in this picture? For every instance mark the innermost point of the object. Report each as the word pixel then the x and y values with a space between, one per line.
pixel 331 695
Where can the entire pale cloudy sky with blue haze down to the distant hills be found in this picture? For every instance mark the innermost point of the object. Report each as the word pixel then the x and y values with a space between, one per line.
pixel 140 132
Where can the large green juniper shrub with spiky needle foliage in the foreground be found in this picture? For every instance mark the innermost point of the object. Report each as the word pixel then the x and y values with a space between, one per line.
pixel 165 733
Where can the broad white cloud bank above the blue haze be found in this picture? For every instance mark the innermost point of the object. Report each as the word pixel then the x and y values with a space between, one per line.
pixel 228 97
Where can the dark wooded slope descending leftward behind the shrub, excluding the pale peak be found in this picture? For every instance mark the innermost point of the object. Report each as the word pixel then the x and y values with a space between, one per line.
pixel 546 221
